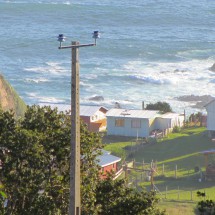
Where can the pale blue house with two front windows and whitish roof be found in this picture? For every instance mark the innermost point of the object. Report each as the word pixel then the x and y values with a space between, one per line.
pixel 140 123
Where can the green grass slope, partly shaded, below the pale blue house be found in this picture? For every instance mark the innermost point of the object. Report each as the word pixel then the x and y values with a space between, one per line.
pixel 181 150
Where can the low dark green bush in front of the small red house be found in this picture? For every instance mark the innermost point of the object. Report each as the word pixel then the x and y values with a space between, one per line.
pixel 115 197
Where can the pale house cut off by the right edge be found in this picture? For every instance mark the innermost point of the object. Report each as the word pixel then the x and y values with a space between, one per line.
pixel 210 108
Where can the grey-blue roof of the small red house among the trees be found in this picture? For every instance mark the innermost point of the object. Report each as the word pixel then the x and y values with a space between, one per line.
pixel 107 159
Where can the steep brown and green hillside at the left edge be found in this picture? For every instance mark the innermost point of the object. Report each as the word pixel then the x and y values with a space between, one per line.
pixel 9 99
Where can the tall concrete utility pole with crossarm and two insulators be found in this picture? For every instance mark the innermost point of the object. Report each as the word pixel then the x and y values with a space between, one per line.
pixel 75 199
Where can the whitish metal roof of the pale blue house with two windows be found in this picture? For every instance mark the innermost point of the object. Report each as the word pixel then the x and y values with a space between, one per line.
pixel 146 114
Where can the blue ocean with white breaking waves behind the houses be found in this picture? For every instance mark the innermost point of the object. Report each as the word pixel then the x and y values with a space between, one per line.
pixel 149 50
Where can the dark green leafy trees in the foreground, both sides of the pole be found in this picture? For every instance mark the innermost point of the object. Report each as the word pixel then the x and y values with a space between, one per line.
pixel 35 154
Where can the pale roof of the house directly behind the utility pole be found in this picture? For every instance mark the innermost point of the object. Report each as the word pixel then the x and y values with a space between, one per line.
pixel 84 109
